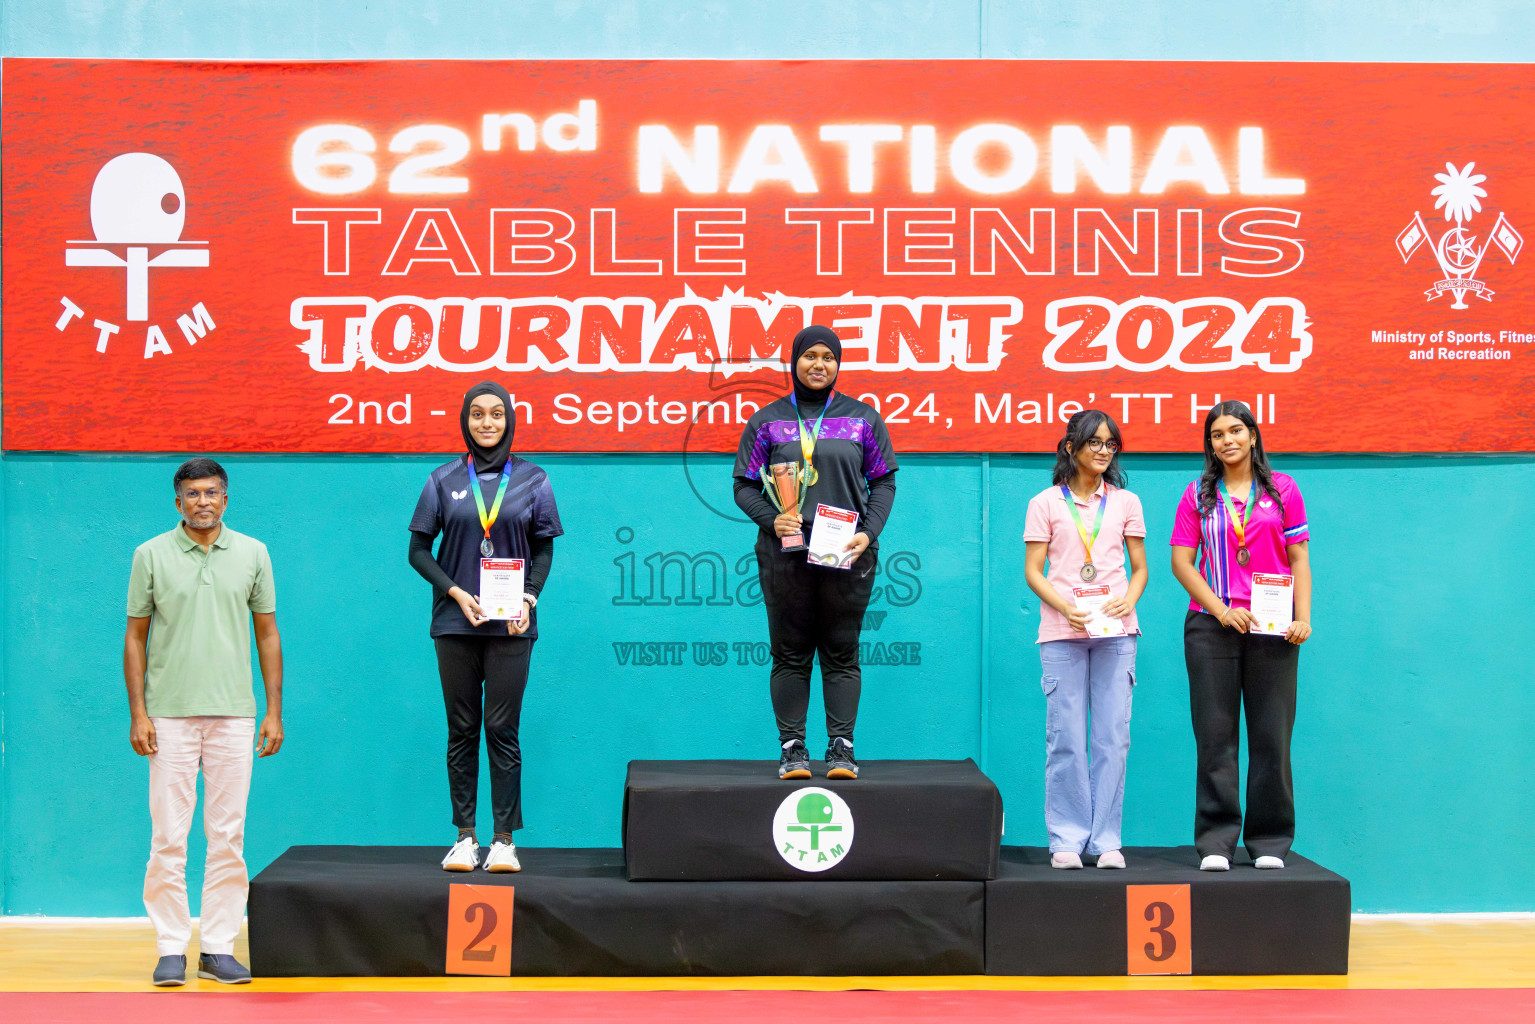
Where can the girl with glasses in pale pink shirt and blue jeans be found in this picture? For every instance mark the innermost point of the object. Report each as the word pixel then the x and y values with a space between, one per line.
pixel 1081 526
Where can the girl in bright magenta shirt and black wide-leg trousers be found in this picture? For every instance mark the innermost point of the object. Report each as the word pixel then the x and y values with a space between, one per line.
pixel 1241 518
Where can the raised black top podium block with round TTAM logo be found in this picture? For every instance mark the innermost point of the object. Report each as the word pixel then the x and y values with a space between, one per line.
pixel 715 821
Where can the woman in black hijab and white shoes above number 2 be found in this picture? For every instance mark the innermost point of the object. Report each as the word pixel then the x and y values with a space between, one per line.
pixel 498 521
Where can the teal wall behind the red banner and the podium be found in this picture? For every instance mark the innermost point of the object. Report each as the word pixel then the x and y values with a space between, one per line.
pixel 1413 750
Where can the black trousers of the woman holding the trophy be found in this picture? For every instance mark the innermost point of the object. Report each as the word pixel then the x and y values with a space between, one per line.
pixel 814 612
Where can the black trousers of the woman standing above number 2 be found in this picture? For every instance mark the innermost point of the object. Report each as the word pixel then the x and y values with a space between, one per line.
pixel 483 684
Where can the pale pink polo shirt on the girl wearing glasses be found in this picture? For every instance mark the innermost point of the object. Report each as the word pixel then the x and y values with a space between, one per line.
pixel 1051 521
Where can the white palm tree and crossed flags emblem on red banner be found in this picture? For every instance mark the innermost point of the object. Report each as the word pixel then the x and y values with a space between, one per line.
pixel 1457 251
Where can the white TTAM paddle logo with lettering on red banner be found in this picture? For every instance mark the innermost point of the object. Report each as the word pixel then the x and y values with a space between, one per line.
pixel 139 210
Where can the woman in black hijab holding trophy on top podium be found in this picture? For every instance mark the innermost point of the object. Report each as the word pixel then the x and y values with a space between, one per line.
pixel 816 472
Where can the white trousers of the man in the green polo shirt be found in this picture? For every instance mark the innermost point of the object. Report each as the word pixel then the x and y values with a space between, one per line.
pixel 223 748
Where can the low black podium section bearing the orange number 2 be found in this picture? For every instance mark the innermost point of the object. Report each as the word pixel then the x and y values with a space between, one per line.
pixel 368 911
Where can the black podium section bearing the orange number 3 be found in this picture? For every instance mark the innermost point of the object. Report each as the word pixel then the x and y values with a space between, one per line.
pixel 1244 922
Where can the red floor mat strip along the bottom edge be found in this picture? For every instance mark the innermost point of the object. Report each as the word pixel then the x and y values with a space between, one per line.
pixel 1464 1006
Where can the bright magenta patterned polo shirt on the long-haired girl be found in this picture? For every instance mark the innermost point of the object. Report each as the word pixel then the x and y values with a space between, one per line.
pixel 1267 535
